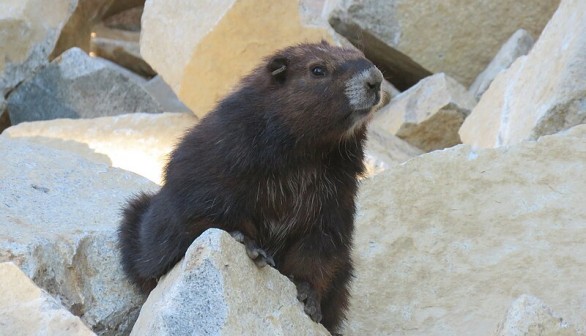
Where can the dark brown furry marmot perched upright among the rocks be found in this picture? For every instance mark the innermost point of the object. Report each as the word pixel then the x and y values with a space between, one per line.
pixel 276 162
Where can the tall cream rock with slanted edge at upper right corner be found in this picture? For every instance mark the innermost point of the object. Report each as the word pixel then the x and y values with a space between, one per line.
pixel 541 93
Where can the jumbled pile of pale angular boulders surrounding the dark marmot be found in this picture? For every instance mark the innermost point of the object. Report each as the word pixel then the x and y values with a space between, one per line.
pixel 471 221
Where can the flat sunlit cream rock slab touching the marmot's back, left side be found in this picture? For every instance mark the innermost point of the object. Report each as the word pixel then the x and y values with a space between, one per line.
pixel 138 142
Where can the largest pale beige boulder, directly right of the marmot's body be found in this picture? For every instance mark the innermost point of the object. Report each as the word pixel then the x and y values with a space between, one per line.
pixel 445 241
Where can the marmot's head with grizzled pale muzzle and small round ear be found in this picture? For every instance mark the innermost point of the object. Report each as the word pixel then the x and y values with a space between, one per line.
pixel 318 91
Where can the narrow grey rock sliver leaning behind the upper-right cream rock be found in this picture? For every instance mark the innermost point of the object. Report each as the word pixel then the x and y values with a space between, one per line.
pixel 517 45
